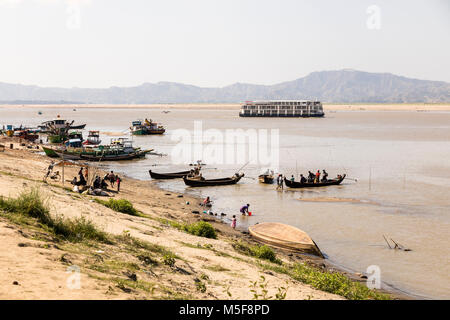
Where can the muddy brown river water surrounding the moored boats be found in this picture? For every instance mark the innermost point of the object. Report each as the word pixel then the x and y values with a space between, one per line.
pixel 401 161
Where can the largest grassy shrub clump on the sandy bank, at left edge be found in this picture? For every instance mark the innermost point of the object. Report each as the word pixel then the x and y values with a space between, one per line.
pixel 30 205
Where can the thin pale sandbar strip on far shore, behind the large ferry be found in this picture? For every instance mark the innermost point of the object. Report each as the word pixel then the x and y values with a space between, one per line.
pixel 418 107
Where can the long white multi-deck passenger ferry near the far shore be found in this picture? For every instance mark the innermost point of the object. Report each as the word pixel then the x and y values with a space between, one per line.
pixel 282 108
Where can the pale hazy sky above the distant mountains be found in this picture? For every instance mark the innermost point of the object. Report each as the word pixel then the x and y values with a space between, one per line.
pixel 100 43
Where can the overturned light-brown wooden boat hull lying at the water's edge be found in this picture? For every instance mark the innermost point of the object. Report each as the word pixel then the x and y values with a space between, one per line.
pixel 285 237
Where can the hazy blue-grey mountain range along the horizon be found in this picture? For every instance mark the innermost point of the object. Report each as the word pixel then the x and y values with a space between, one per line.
pixel 342 86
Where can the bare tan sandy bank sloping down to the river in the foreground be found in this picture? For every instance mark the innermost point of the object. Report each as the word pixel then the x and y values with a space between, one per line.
pixel 40 267
